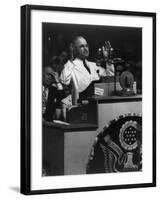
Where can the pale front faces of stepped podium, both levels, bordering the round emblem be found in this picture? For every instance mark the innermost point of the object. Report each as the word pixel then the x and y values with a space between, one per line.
pixel 77 145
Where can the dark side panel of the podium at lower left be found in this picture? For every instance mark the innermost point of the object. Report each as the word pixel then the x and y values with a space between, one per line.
pixel 53 151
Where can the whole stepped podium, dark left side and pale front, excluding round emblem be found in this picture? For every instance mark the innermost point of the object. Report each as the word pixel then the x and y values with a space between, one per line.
pixel 66 149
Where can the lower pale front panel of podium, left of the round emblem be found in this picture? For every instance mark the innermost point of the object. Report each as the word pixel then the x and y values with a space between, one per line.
pixel 77 147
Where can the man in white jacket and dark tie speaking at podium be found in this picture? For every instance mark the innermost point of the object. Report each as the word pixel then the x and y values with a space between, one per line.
pixel 79 71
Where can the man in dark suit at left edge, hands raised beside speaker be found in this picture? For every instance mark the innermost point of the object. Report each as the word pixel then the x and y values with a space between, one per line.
pixel 52 94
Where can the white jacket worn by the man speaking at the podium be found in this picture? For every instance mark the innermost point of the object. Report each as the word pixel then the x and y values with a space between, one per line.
pixel 76 72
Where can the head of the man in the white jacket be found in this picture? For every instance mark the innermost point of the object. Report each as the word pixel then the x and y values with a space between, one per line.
pixel 81 49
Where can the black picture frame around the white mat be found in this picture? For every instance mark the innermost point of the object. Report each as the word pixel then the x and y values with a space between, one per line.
pixel 26 97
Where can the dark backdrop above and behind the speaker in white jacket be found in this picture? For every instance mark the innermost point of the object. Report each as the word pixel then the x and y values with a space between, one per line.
pixel 127 41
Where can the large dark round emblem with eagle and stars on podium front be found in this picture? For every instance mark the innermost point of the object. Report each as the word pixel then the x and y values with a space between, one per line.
pixel 118 147
